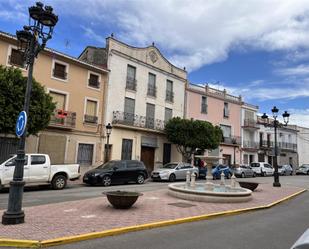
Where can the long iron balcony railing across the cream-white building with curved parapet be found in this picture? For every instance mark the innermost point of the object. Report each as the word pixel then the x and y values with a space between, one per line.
pixel 134 120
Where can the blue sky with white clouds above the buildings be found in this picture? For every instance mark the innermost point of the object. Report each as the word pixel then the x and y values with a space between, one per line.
pixel 258 49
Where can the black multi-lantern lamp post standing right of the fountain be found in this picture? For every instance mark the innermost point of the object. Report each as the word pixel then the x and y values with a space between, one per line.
pixel 276 125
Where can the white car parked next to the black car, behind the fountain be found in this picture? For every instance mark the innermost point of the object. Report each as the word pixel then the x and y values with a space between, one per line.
pixel 173 171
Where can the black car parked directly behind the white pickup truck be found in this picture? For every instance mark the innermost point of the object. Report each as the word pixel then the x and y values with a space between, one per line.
pixel 117 171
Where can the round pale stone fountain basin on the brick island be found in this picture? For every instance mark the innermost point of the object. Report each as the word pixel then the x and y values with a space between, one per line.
pixel 218 193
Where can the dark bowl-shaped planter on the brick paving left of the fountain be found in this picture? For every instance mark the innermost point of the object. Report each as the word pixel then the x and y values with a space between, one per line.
pixel 122 199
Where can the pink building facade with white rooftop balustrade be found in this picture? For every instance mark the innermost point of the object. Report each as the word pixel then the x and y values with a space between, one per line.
pixel 222 109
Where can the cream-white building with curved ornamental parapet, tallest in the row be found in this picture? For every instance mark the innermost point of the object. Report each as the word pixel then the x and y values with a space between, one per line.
pixel 144 91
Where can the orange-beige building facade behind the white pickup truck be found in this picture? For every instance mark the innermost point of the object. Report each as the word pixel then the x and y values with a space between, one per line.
pixel 75 133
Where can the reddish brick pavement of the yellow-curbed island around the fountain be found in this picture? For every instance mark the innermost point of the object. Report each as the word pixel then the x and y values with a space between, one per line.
pixel 94 215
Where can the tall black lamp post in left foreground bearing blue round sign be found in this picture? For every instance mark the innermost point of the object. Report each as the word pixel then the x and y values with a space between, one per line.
pixel 31 40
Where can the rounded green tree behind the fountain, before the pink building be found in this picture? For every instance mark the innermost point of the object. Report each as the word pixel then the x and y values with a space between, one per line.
pixel 189 135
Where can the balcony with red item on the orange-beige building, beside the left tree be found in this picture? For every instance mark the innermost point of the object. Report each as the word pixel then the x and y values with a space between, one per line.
pixel 63 119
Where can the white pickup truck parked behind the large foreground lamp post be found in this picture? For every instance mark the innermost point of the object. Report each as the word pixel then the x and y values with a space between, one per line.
pixel 39 171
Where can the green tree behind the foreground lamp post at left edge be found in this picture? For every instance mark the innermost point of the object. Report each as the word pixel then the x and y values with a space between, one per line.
pixel 12 95
